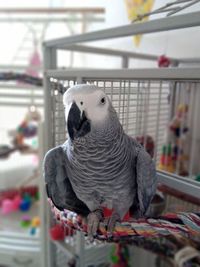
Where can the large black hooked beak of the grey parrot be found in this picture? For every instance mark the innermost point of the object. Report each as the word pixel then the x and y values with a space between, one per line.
pixel 78 125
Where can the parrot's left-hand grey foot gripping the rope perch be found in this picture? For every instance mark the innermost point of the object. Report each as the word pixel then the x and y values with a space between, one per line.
pixel 94 219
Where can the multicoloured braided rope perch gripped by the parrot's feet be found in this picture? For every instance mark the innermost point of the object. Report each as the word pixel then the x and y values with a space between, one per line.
pixel 182 224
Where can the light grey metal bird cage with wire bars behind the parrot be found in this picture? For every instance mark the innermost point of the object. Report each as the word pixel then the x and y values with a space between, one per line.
pixel 146 101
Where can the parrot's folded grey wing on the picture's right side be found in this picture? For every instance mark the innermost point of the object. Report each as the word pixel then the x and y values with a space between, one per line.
pixel 146 180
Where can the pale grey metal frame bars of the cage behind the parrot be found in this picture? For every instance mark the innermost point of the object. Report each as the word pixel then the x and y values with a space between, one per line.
pixel 72 43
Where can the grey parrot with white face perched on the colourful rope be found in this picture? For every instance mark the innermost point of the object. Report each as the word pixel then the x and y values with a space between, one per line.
pixel 99 165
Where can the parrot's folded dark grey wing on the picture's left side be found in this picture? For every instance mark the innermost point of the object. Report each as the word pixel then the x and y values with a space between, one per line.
pixel 58 186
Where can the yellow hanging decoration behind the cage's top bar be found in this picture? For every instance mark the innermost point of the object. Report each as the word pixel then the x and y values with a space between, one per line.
pixel 136 8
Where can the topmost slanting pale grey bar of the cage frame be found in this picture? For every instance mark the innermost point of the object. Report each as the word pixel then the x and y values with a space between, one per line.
pixel 153 26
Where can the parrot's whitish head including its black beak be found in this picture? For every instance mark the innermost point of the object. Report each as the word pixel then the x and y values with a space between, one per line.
pixel 87 108
